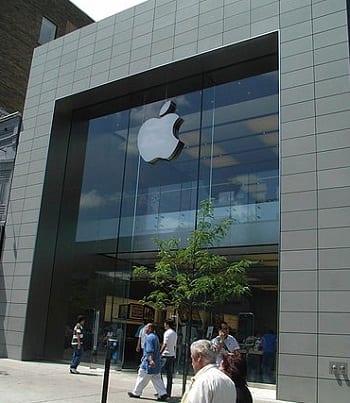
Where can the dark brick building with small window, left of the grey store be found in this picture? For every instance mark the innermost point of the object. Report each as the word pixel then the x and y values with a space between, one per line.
pixel 24 25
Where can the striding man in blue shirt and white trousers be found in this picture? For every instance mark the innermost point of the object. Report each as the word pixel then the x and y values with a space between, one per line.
pixel 150 366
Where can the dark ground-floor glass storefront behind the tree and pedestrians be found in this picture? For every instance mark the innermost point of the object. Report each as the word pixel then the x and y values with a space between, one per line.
pixel 111 302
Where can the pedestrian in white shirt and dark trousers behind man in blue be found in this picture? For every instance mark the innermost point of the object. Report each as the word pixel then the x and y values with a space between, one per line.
pixel 168 353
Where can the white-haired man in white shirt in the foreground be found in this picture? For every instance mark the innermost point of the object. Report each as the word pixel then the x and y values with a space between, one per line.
pixel 209 385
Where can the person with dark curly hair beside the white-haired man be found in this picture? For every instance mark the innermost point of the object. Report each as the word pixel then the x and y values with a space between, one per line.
pixel 235 366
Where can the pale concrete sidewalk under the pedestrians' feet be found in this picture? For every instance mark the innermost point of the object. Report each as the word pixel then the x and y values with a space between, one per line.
pixel 38 382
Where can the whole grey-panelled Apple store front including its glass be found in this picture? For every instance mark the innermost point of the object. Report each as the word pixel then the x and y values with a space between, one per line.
pixel 129 124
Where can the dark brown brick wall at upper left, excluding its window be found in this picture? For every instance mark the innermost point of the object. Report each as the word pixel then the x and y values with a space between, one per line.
pixel 19 33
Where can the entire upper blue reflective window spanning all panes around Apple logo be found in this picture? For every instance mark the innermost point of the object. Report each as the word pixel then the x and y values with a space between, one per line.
pixel 230 155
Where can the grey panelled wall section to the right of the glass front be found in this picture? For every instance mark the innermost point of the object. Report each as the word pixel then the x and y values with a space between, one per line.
pixel 314 264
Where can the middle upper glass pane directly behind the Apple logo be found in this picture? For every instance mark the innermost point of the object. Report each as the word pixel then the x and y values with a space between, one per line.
pixel 160 199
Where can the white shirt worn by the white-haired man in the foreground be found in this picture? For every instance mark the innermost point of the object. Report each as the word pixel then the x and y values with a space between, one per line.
pixel 210 385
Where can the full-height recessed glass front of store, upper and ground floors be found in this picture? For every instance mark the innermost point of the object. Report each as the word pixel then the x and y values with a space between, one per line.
pixel 114 203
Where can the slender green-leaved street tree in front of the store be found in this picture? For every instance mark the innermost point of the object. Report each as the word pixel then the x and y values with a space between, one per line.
pixel 192 276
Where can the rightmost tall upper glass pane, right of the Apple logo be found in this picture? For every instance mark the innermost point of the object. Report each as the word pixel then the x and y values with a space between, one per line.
pixel 239 156
